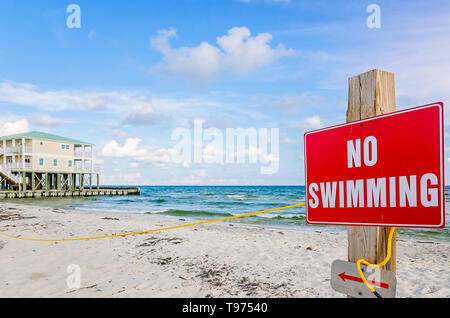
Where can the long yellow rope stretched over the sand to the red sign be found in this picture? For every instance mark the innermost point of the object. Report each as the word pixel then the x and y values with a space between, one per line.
pixel 155 230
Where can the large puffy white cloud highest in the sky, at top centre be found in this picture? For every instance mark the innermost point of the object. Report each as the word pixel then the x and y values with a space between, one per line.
pixel 237 52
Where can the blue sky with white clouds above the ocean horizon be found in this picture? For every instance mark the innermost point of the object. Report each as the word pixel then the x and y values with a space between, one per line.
pixel 135 71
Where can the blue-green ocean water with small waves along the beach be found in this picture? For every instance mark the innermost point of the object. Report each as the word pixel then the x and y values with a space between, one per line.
pixel 211 202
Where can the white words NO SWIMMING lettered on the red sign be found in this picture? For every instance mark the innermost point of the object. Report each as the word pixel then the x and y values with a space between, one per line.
pixel 374 192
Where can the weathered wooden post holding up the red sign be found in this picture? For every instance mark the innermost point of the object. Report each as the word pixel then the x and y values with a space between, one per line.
pixel 370 94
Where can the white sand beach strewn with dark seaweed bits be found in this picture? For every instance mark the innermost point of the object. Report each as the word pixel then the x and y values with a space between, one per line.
pixel 212 260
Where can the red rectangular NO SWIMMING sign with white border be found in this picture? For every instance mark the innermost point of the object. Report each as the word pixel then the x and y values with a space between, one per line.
pixel 382 171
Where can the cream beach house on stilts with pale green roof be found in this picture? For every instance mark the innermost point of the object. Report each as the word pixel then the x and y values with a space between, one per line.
pixel 37 161
